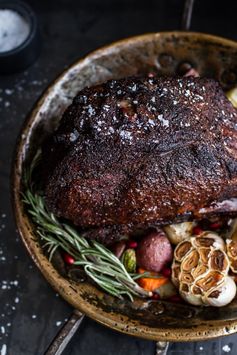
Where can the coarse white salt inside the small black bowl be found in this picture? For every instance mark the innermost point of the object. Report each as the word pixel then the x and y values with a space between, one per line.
pixel 13 30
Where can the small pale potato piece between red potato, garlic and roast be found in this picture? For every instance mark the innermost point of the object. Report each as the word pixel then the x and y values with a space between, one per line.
pixel 179 231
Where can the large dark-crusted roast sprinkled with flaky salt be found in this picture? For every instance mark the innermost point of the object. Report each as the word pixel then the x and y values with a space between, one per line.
pixel 141 152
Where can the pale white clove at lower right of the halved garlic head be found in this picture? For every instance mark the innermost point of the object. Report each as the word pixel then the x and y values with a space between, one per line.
pixel 222 294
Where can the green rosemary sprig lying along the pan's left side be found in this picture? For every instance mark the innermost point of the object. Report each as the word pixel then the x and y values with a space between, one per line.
pixel 98 262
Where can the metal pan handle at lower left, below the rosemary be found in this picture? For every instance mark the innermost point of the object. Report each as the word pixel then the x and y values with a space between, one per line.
pixel 65 334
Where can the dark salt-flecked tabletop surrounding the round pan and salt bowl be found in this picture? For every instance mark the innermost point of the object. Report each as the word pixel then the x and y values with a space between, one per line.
pixel 30 311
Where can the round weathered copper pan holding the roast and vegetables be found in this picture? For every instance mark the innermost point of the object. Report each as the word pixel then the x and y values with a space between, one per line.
pixel 166 54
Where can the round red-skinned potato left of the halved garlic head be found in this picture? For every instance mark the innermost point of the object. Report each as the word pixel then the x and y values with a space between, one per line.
pixel 154 251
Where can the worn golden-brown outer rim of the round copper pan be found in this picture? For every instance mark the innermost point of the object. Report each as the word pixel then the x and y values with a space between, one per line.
pixel 208 330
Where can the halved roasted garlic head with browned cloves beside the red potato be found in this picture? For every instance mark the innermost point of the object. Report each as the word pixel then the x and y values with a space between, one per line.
pixel 200 271
